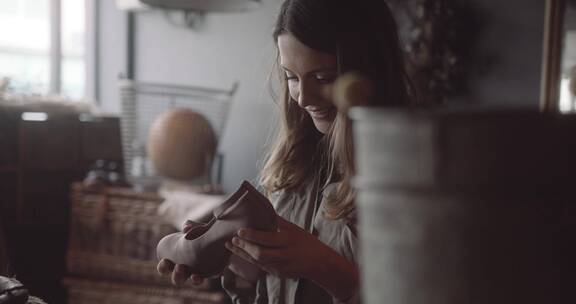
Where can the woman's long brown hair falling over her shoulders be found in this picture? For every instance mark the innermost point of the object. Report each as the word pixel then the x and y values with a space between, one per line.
pixel 363 36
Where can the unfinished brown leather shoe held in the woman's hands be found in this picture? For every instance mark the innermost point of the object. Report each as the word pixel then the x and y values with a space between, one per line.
pixel 202 248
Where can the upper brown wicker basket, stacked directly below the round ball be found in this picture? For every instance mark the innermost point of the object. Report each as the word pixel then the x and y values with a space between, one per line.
pixel 113 235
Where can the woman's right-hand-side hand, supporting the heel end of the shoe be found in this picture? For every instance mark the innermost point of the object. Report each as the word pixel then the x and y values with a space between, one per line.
pixel 290 252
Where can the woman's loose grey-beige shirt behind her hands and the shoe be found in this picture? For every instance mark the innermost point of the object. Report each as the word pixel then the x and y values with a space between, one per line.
pixel 303 209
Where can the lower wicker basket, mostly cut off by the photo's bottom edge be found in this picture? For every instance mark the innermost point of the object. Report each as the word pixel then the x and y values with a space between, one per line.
pixel 98 292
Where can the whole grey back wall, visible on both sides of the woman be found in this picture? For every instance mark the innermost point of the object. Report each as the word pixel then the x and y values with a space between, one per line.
pixel 238 47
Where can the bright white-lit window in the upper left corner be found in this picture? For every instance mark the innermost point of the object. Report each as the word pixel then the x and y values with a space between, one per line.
pixel 42 46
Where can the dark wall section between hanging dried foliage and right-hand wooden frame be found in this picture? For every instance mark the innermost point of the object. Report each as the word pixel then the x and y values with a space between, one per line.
pixel 509 52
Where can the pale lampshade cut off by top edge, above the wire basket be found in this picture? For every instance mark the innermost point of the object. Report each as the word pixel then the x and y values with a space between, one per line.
pixel 206 5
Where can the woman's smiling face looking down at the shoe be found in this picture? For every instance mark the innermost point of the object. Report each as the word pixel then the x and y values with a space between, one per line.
pixel 310 75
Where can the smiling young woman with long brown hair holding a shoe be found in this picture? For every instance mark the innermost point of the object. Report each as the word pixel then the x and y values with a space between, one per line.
pixel 313 257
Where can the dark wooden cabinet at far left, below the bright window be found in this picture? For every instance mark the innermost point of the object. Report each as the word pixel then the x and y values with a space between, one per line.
pixel 39 160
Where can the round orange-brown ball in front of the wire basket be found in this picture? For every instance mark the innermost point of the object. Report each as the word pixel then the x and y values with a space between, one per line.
pixel 181 144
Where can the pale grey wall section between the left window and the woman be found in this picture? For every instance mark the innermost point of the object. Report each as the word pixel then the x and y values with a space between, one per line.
pixel 226 48
